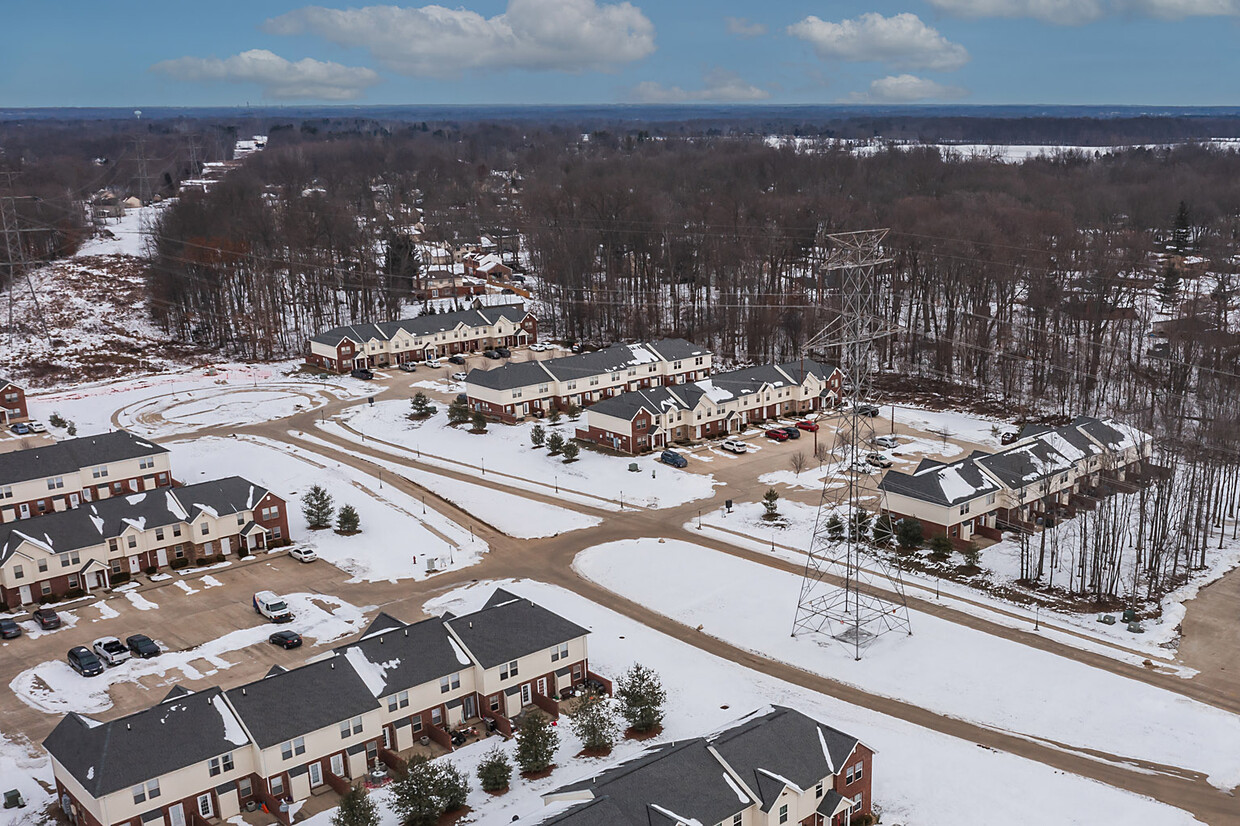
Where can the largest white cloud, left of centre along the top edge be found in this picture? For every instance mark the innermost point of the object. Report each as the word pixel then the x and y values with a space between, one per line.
pixel 549 35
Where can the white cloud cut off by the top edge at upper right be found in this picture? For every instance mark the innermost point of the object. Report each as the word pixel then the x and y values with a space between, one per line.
pixel 1074 13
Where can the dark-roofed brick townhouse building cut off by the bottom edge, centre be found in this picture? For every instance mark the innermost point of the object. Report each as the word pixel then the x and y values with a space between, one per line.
pixel 773 768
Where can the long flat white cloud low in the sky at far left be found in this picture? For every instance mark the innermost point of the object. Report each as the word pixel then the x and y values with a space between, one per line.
pixel 281 80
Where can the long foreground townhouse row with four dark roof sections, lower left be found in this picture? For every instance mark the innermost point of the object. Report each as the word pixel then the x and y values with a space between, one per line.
pixel 206 756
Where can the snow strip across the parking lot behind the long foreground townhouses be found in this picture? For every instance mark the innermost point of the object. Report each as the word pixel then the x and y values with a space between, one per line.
pixel 55 689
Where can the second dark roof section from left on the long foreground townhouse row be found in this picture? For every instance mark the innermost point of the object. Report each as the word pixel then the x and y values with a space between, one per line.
pixel 303 700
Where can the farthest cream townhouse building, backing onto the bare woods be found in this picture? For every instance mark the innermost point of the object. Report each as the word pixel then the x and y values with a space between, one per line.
pixel 426 337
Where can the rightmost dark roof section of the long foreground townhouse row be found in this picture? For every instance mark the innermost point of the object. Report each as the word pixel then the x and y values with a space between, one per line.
pixel 510 628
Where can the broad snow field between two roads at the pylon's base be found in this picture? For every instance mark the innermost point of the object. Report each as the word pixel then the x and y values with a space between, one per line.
pixel 943 667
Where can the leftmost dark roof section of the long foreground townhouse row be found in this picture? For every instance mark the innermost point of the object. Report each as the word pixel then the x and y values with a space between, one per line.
pixel 179 732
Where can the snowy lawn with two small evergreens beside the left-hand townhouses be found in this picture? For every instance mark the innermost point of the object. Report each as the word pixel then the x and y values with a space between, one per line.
pixel 399 534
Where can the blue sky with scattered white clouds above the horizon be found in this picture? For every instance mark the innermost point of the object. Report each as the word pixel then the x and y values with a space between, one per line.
pixel 91 54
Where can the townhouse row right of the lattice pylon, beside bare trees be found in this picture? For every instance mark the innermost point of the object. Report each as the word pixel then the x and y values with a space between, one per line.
pixel 1045 473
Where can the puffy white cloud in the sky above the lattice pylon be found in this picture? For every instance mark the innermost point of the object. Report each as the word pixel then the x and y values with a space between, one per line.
pixel 902 42
